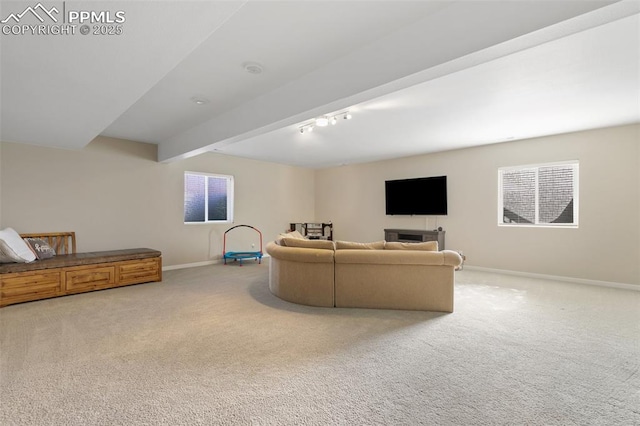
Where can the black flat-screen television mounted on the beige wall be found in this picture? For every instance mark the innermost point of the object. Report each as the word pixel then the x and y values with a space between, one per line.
pixel 419 196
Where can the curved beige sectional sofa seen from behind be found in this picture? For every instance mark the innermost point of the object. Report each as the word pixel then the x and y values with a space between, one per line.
pixel 356 275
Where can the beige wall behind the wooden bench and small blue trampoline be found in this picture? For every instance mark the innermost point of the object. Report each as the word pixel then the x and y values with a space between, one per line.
pixel 114 195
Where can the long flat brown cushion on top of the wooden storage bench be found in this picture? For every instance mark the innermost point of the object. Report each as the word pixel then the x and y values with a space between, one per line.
pixel 79 259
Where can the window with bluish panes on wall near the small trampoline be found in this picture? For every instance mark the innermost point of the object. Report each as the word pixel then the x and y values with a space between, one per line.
pixel 208 198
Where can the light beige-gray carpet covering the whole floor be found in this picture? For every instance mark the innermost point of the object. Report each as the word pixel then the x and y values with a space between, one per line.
pixel 211 345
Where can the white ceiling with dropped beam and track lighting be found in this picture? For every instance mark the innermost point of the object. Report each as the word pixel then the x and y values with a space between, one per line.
pixel 418 77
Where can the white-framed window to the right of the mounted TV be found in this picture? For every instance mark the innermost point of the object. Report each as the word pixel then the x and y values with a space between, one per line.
pixel 541 195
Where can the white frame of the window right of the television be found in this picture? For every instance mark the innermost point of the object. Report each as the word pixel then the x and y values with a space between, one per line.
pixel 576 167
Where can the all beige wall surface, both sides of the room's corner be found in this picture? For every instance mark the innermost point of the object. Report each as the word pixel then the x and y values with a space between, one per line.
pixel 115 195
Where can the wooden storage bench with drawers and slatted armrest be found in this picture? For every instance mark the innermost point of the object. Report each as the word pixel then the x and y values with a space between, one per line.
pixel 69 272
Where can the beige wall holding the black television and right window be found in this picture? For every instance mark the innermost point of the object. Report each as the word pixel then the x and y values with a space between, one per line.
pixel 605 247
